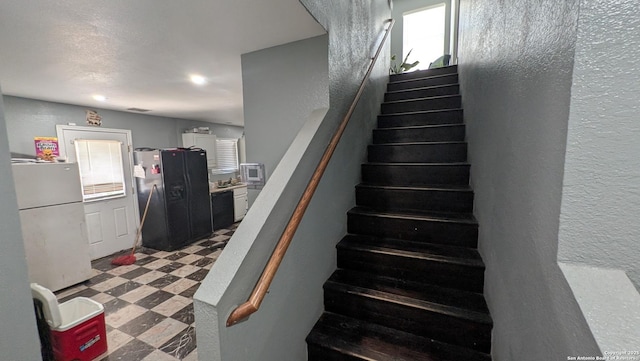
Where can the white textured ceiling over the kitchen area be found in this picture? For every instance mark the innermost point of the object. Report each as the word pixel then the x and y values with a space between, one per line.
pixel 139 53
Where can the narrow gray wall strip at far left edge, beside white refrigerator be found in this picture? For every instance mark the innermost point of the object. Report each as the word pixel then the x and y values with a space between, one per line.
pixel 18 333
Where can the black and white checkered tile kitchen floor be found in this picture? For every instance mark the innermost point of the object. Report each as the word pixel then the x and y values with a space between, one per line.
pixel 149 305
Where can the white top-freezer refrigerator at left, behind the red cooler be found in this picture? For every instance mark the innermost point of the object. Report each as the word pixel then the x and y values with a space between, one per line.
pixel 53 223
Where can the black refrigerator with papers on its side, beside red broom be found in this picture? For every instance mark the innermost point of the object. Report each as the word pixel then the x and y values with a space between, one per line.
pixel 180 208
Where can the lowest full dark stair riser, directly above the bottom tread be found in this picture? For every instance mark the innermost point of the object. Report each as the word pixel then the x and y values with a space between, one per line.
pixel 420 322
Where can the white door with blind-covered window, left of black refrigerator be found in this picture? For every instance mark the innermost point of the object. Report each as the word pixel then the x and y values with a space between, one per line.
pixel 111 207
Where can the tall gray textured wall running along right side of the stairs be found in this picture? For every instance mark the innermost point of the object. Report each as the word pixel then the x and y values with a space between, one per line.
pixel 516 62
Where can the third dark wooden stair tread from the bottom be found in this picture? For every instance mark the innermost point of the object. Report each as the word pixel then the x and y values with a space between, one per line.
pixel 410 249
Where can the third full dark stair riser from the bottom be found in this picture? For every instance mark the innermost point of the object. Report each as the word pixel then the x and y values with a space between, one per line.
pixel 451 233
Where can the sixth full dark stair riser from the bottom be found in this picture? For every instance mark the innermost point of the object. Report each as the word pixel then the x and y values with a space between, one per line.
pixel 418 153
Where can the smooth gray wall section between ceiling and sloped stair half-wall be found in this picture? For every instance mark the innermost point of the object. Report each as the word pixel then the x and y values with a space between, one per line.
pixel 281 86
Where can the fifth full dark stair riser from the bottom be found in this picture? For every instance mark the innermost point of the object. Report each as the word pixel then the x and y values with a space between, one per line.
pixel 415 175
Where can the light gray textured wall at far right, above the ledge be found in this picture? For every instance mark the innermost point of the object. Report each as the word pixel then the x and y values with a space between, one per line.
pixel 601 194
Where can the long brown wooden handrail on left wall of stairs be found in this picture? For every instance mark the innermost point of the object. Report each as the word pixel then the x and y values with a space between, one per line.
pixel 260 290
